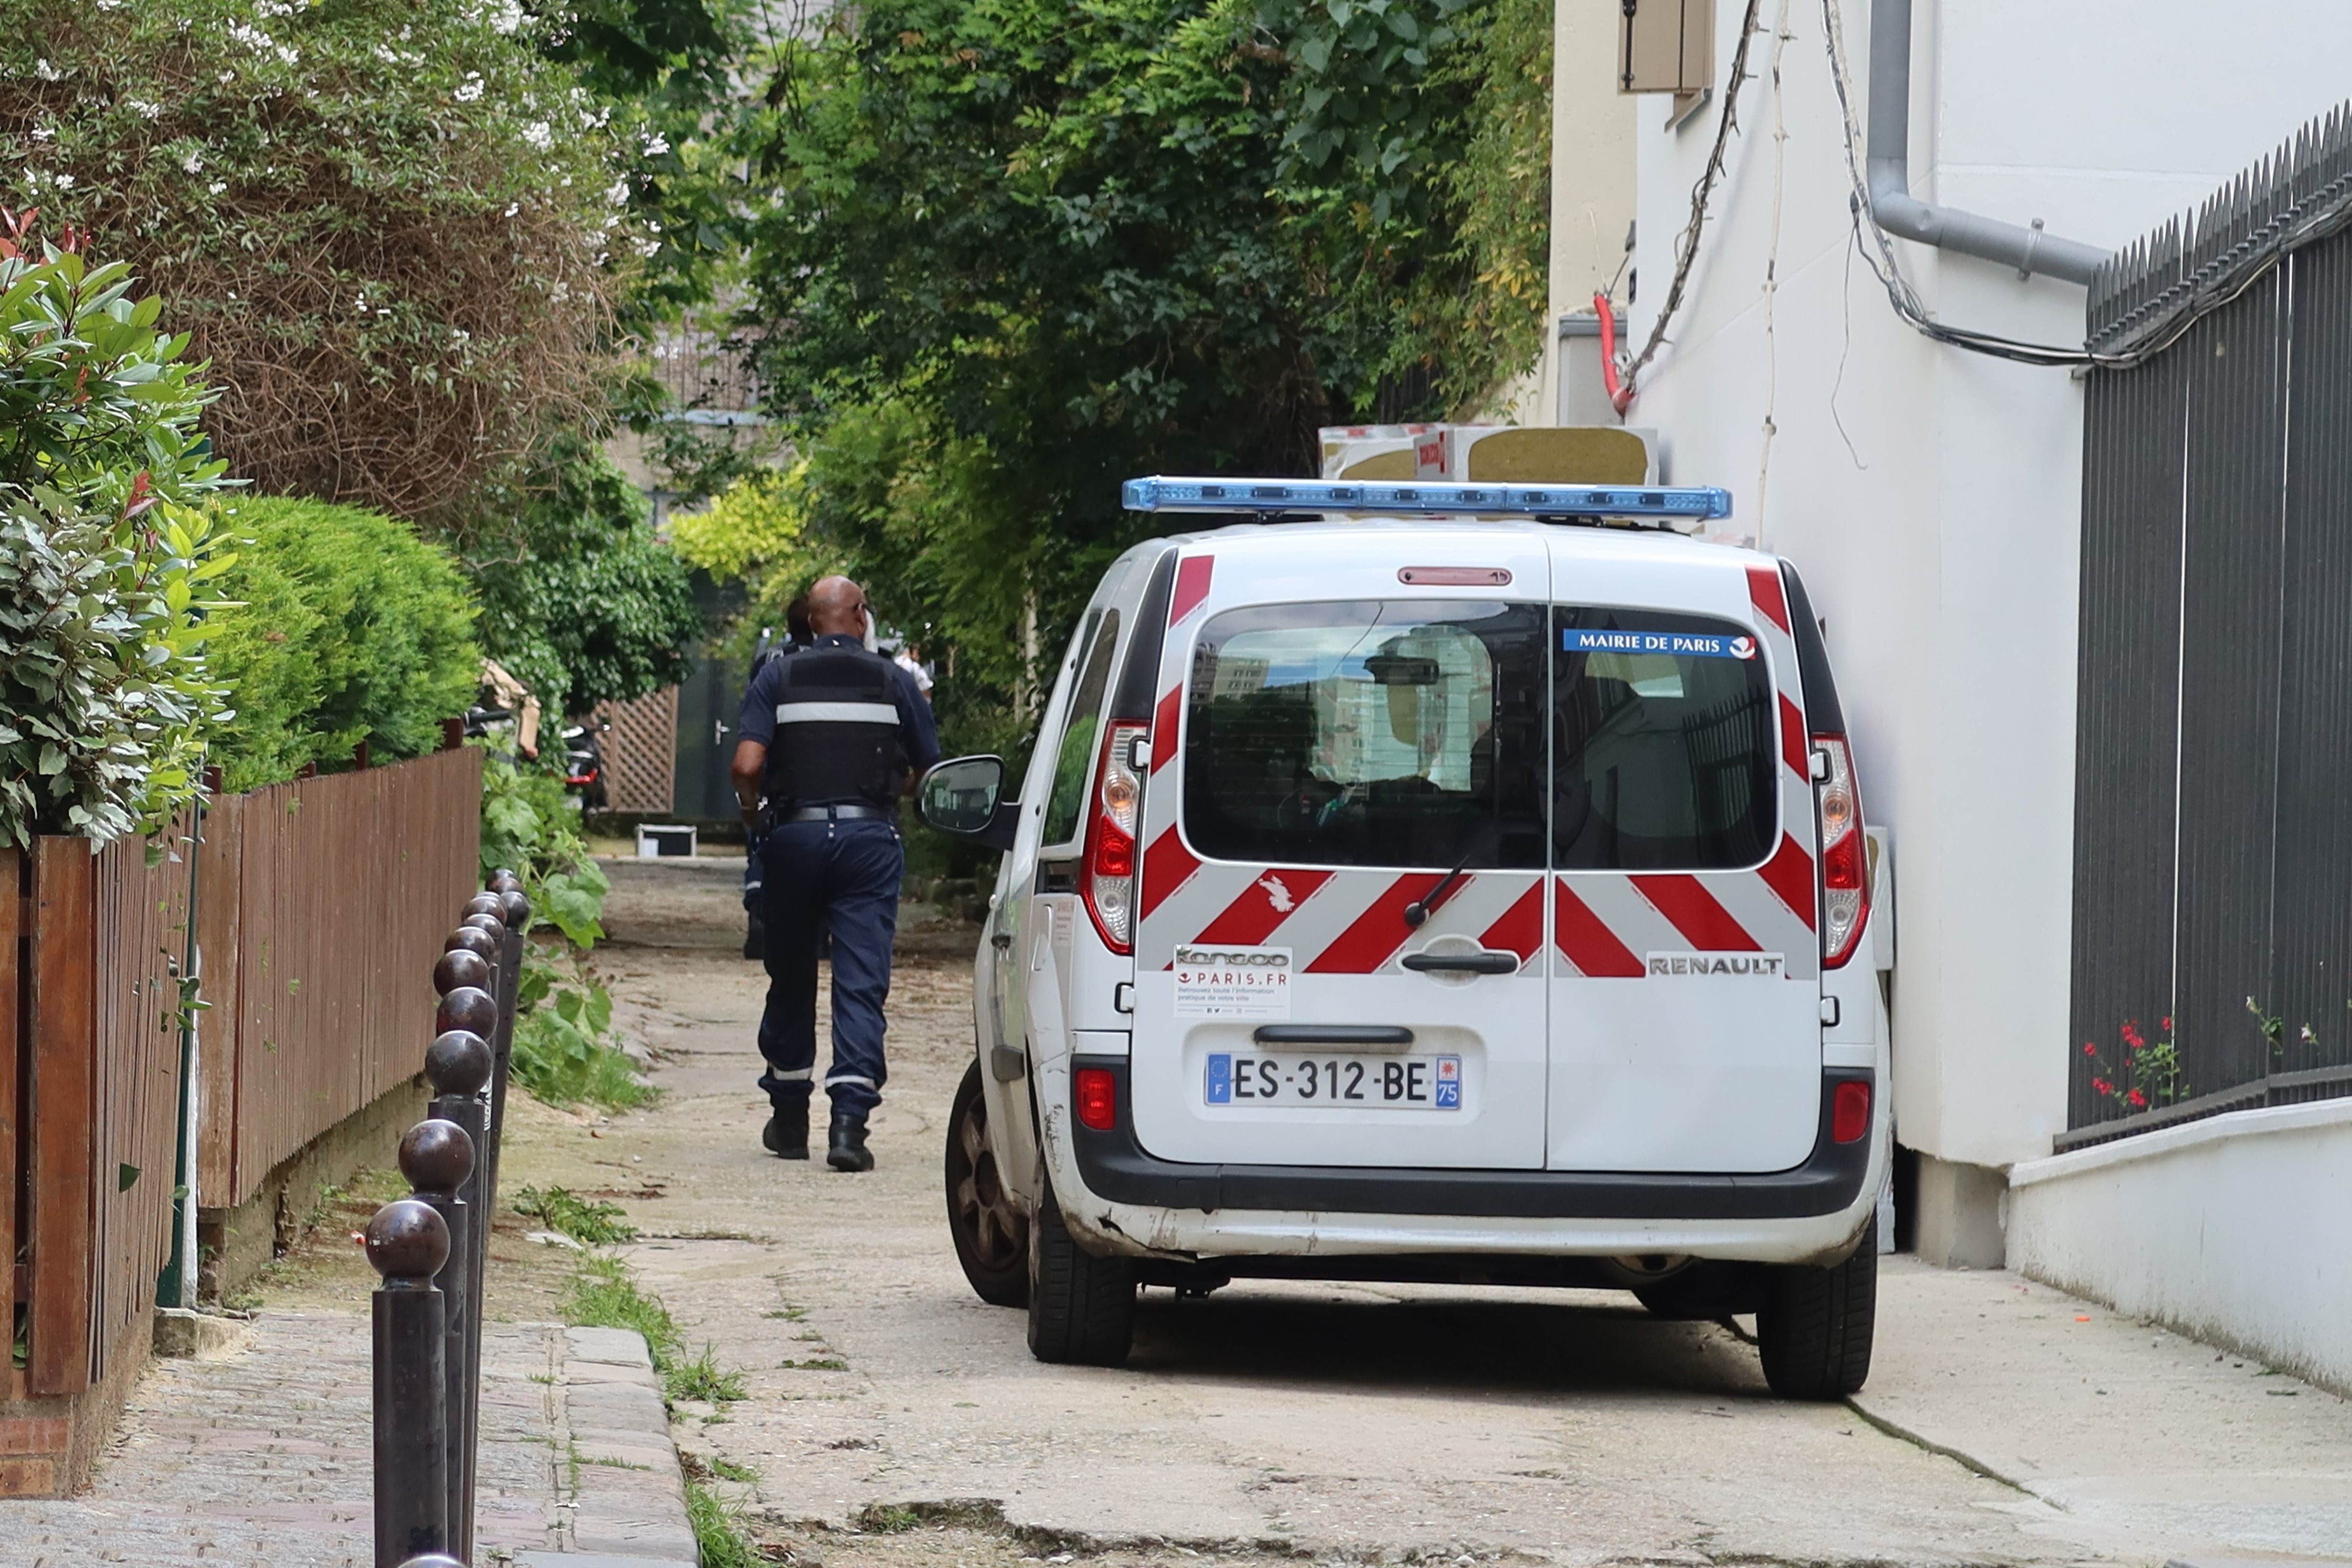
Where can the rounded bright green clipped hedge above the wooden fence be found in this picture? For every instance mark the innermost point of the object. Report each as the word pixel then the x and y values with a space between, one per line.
pixel 349 629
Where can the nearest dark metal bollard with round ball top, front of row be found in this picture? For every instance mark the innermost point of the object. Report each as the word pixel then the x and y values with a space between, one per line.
pixel 408 1245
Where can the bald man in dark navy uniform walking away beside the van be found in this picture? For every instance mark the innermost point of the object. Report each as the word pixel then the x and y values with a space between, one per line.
pixel 831 739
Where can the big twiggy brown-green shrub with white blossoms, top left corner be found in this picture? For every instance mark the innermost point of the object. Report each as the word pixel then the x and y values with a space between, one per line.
pixel 389 225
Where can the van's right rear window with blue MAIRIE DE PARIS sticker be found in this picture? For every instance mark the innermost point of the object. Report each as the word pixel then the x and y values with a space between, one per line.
pixel 1664 746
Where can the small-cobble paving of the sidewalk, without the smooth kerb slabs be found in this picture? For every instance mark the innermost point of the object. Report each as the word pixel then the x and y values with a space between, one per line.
pixel 262 1456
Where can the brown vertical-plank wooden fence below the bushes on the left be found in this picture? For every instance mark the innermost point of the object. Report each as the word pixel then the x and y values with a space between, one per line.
pixel 319 913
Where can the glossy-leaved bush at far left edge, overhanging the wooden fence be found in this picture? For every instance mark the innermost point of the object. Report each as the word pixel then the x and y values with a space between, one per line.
pixel 107 568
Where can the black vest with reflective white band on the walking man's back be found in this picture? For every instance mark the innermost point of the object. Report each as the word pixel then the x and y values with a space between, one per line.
pixel 836 730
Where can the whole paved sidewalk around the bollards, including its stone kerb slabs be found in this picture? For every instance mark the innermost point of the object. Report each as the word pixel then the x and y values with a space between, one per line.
pixel 262 1456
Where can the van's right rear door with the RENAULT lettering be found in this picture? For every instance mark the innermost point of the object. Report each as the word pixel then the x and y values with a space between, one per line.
pixel 1685 1000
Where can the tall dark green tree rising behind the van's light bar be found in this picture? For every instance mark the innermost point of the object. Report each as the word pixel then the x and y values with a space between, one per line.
pixel 1020 253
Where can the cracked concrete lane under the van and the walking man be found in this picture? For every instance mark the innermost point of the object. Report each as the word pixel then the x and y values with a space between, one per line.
pixel 1370 1423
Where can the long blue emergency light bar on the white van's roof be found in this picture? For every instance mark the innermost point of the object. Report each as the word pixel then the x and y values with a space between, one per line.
pixel 1662 502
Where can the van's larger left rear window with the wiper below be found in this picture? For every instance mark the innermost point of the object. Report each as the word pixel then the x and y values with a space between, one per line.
pixel 1368 735
